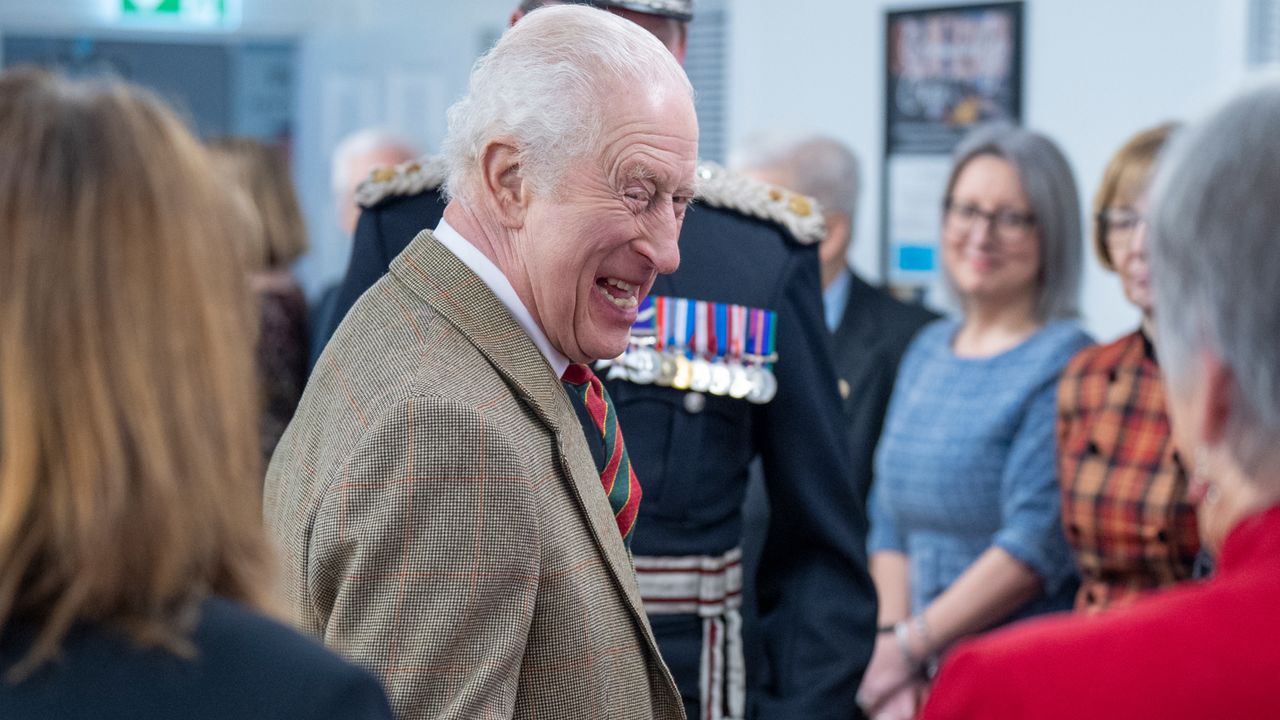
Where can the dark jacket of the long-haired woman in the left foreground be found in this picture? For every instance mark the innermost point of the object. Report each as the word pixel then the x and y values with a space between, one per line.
pixel 245 668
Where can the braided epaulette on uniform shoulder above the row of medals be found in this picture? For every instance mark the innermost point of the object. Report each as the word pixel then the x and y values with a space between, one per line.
pixel 799 215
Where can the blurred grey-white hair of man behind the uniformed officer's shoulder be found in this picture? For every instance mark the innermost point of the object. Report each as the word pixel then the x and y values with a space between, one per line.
pixel 820 167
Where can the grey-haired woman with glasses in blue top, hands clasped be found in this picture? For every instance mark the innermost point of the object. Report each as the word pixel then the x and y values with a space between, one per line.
pixel 966 514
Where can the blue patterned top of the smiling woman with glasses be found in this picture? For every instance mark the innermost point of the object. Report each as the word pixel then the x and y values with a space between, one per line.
pixel 967 461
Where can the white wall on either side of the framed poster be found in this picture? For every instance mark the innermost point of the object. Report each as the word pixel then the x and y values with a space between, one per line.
pixel 1096 71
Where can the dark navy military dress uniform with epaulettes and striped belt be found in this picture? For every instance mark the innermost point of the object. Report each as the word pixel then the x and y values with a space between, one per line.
pixel 749 247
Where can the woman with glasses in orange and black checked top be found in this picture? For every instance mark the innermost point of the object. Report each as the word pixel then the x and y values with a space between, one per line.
pixel 1124 490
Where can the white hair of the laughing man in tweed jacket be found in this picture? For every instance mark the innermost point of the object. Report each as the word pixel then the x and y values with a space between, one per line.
pixel 545 88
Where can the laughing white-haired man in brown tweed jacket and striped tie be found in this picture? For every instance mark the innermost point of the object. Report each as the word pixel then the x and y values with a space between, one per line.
pixel 444 518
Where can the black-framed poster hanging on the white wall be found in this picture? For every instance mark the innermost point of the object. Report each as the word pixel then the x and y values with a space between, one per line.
pixel 947 70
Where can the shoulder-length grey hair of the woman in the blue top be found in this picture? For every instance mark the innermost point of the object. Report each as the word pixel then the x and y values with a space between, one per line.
pixel 1050 189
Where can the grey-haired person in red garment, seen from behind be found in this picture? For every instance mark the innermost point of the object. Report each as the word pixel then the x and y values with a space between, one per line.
pixel 1205 650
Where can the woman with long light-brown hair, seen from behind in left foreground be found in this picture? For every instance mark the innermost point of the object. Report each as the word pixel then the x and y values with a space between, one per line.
pixel 134 567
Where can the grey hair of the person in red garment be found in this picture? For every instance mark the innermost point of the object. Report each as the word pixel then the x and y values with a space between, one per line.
pixel 1215 256
